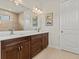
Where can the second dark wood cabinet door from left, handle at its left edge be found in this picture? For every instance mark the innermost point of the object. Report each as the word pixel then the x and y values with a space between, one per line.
pixel 25 50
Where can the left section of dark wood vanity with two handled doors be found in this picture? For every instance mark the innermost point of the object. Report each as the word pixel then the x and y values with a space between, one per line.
pixel 18 48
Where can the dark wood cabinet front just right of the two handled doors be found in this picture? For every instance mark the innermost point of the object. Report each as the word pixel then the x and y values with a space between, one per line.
pixel 36 44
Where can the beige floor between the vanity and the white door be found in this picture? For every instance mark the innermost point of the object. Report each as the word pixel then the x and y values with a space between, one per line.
pixel 50 53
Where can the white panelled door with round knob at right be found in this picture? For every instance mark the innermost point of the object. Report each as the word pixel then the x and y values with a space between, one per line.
pixel 69 26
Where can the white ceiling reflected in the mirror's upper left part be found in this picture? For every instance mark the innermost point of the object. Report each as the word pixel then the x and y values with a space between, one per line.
pixel 7 5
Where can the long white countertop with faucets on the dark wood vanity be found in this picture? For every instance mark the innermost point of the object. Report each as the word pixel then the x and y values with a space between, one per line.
pixel 20 34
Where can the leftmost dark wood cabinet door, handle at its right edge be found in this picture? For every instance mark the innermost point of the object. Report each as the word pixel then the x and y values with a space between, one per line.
pixel 10 52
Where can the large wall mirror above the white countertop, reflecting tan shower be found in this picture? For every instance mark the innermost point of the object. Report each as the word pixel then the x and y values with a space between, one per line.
pixel 16 17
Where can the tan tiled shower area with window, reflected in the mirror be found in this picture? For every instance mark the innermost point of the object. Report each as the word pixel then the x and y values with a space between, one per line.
pixel 9 20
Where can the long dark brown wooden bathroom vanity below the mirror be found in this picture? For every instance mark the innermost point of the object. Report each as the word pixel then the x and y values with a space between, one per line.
pixel 23 46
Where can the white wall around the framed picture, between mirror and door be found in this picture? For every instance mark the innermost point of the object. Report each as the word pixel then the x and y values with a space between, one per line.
pixel 54 31
